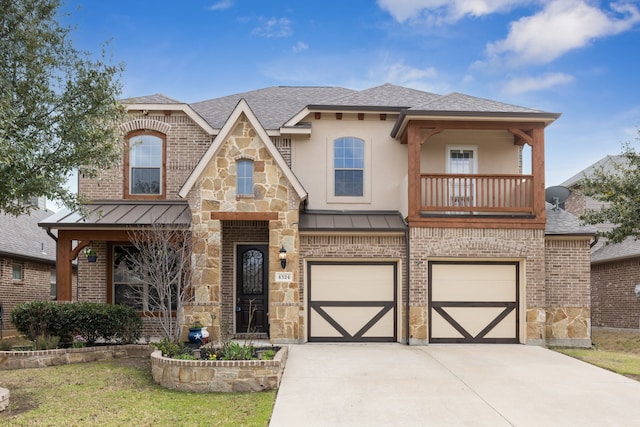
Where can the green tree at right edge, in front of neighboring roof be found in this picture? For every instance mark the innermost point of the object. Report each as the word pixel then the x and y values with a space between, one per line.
pixel 618 188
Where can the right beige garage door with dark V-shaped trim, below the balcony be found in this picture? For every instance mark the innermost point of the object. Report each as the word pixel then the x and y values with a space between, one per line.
pixel 473 302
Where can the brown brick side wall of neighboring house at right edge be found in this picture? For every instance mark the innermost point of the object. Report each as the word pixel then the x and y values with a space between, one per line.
pixel 613 300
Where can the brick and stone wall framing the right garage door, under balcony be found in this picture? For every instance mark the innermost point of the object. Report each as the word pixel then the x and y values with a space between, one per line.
pixel 478 244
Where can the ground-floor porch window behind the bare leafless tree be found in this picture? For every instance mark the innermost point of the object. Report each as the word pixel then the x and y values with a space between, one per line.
pixel 129 288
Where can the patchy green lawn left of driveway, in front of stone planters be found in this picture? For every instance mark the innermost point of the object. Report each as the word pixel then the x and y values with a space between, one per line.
pixel 121 393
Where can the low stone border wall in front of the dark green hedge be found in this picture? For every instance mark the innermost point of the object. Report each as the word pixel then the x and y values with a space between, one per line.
pixel 65 356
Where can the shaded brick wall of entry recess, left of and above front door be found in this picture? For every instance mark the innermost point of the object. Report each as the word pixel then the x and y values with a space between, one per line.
pixel 236 232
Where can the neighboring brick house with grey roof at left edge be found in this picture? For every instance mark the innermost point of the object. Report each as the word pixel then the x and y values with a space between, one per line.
pixel 27 263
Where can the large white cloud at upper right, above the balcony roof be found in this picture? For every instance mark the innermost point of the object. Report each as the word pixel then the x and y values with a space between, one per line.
pixel 562 26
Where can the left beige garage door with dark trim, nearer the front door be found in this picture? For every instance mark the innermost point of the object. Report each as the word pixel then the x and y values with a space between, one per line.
pixel 352 302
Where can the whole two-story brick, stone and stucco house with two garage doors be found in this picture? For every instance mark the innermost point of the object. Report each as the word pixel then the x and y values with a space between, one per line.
pixel 402 216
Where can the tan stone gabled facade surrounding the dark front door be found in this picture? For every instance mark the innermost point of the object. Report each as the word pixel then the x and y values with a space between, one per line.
pixel 214 196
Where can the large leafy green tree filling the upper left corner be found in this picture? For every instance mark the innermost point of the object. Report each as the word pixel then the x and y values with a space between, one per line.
pixel 58 107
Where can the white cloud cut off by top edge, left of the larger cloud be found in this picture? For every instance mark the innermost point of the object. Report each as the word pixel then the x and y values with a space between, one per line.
pixel 445 10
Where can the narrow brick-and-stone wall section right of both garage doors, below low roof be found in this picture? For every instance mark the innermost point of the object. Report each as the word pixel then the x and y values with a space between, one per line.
pixel 568 290
